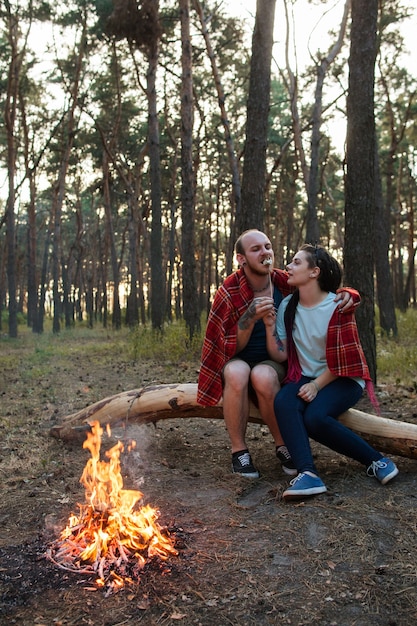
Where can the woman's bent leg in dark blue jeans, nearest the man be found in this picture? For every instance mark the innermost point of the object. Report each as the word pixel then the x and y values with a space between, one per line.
pixel 289 409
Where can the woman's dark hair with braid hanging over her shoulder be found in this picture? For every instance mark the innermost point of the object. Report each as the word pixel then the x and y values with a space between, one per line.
pixel 329 279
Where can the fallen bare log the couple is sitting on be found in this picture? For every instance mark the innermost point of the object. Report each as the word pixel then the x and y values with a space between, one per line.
pixel 168 401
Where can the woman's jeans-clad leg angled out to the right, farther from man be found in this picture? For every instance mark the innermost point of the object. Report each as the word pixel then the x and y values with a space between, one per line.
pixel 322 425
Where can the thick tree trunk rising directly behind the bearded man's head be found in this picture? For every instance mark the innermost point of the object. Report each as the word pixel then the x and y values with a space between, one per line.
pixel 254 165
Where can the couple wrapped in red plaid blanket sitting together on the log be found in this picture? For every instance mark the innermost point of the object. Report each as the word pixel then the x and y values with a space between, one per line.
pixel 263 317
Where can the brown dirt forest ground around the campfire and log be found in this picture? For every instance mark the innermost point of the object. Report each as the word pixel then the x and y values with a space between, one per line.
pixel 347 557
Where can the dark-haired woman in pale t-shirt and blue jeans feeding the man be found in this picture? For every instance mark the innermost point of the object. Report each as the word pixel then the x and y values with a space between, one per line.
pixel 327 372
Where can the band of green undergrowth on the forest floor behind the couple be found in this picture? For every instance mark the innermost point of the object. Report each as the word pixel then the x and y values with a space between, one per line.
pixel 38 354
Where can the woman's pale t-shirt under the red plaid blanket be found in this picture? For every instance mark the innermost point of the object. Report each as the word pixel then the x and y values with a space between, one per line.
pixel 310 334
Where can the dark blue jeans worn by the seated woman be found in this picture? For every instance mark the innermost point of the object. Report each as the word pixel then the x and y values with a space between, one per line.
pixel 299 420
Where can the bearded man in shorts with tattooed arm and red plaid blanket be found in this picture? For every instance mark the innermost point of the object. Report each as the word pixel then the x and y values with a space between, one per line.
pixel 235 362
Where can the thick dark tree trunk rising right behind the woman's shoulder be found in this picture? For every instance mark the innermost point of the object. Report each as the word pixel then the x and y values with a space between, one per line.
pixel 360 163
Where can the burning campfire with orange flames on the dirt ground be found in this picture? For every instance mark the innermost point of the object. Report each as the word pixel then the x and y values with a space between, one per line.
pixel 112 537
